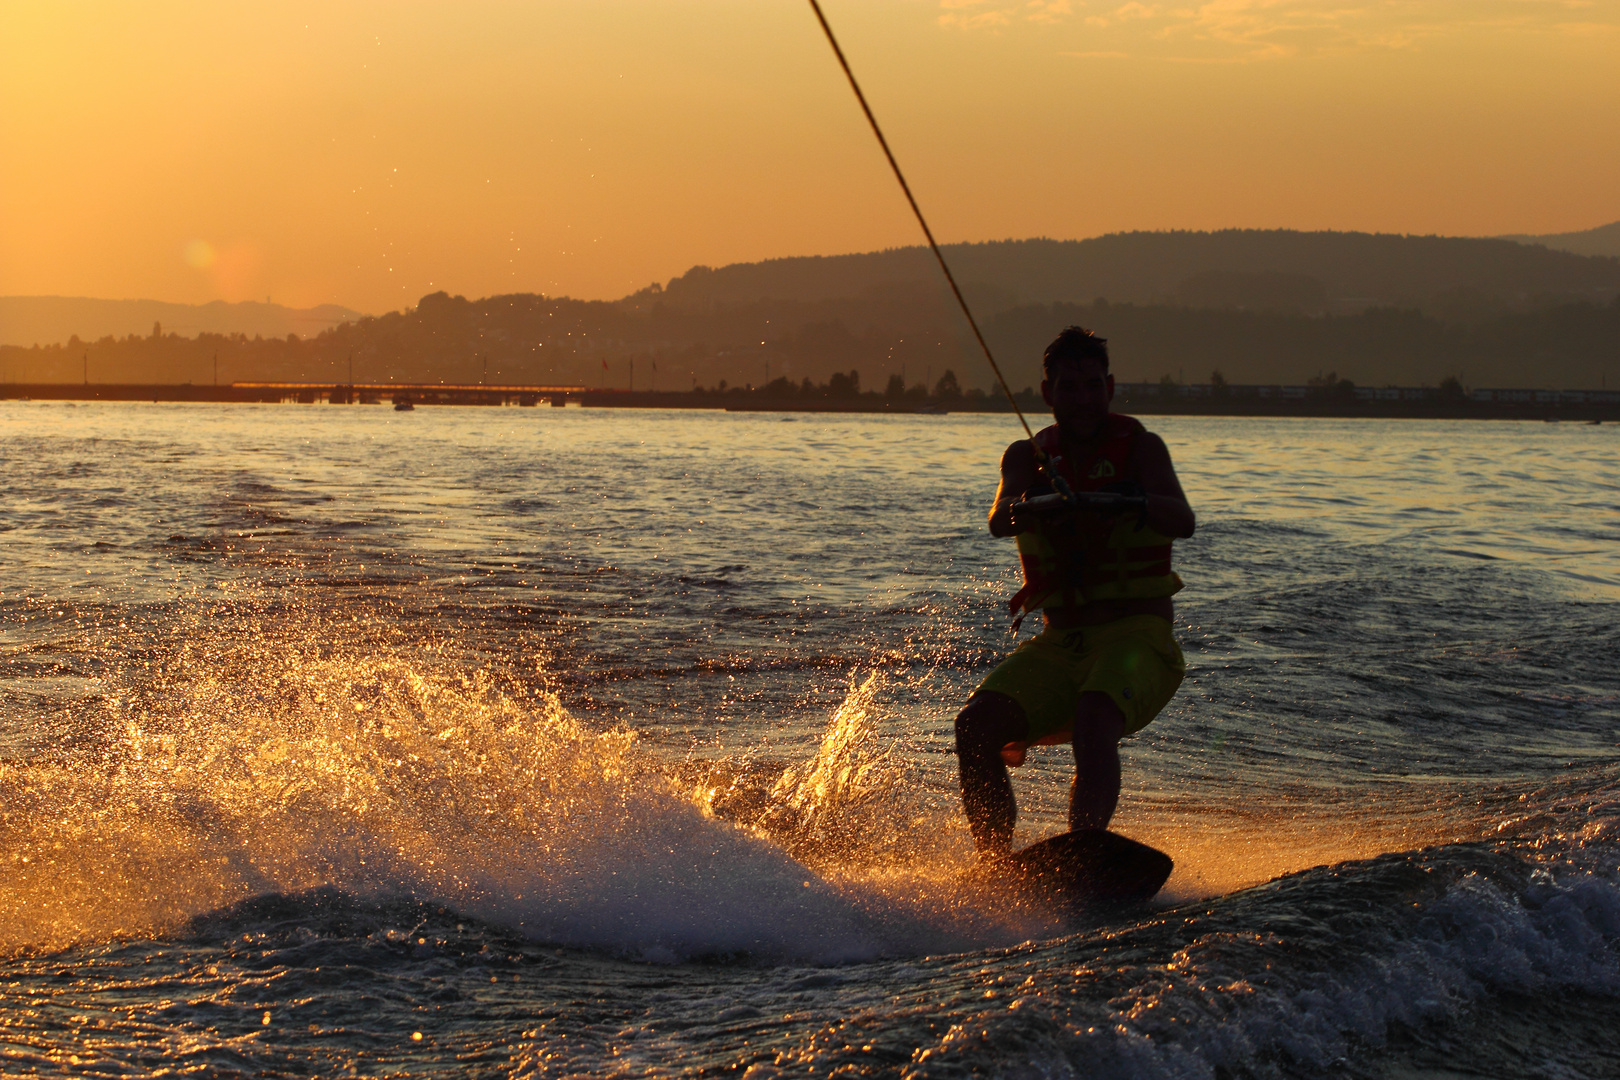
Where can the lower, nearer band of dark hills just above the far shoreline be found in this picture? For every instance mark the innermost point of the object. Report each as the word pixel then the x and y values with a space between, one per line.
pixel 542 341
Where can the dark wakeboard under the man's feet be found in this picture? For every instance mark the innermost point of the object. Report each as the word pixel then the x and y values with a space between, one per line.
pixel 1088 869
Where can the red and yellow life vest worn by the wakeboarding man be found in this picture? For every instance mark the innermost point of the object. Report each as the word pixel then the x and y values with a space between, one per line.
pixel 1094 558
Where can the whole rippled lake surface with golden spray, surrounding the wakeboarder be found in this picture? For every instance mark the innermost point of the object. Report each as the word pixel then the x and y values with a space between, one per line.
pixel 558 742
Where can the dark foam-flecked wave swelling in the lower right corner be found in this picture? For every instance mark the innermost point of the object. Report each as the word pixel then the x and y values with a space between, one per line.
pixel 1331 972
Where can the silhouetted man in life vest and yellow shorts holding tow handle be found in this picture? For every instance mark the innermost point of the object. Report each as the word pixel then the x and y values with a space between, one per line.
pixel 1107 661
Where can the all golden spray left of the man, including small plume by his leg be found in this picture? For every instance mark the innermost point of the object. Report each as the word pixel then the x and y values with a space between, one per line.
pixel 231 767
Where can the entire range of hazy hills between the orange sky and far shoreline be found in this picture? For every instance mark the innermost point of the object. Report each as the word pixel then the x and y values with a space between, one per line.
pixel 1263 307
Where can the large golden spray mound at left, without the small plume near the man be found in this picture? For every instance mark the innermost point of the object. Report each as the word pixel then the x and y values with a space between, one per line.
pixel 220 781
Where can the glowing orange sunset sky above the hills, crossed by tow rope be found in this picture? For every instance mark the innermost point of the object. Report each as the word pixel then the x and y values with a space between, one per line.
pixel 370 153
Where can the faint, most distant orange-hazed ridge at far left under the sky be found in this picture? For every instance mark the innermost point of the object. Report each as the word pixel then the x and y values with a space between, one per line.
pixel 54 320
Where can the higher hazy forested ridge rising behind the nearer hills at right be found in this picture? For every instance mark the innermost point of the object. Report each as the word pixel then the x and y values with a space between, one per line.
pixel 1240 270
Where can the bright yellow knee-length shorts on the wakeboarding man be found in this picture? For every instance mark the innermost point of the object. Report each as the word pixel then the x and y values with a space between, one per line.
pixel 1135 661
